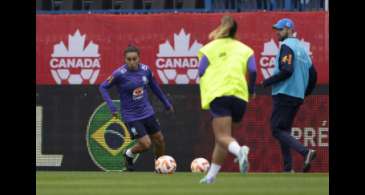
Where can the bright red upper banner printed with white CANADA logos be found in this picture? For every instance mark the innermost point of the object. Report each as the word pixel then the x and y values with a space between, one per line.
pixel 85 49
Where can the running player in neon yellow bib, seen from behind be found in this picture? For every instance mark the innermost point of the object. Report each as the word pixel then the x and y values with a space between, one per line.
pixel 225 91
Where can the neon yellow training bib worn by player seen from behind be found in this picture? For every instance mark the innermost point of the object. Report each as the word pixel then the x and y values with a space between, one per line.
pixel 225 74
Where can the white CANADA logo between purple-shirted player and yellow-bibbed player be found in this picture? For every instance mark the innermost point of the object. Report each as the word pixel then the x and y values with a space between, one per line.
pixel 178 64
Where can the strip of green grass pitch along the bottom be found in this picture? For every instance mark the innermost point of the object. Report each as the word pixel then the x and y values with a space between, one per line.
pixel 145 183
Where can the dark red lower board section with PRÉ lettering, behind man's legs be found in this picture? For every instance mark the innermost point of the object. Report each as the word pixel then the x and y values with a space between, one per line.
pixel 310 127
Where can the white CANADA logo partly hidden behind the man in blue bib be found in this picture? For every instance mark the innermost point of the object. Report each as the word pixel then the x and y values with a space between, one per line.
pixel 268 56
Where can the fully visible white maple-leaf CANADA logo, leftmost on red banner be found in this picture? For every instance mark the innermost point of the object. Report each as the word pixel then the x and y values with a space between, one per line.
pixel 75 63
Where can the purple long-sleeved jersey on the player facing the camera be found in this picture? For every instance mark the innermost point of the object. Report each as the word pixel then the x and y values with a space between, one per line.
pixel 132 89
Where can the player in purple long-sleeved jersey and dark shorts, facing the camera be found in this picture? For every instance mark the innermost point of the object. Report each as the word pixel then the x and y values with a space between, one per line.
pixel 131 81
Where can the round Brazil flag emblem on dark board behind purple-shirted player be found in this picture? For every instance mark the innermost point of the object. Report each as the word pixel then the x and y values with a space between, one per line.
pixel 108 138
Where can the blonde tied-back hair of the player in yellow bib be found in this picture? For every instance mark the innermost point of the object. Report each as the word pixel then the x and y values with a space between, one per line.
pixel 227 28
